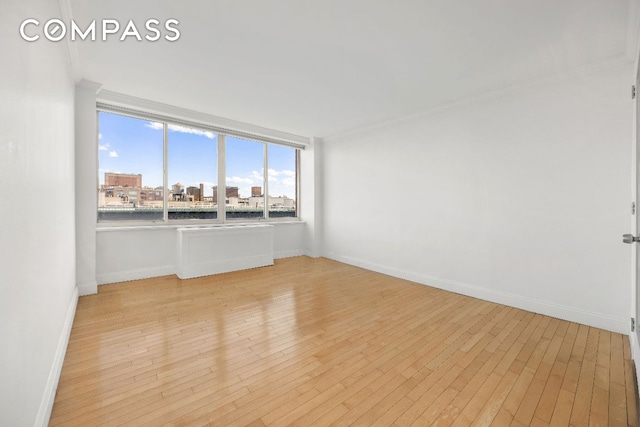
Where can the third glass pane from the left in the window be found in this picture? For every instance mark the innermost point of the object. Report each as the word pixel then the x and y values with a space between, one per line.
pixel 245 172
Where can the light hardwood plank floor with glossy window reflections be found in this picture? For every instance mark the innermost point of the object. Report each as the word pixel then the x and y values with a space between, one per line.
pixel 317 342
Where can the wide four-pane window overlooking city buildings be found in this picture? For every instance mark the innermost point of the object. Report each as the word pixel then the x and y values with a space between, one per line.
pixel 163 171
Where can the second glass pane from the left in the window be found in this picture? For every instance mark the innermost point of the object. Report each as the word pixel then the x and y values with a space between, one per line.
pixel 192 173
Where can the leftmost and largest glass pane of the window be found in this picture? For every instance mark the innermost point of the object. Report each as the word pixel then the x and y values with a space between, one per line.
pixel 130 155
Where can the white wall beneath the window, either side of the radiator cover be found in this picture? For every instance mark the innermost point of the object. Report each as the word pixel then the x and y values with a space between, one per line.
pixel 141 252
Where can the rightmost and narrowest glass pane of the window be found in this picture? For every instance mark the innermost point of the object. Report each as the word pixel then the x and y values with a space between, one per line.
pixel 282 181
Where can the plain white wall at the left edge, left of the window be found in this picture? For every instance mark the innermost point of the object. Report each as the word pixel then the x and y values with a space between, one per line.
pixel 37 247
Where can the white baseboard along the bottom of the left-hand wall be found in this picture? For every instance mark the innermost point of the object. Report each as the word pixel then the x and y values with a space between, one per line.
pixel 46 405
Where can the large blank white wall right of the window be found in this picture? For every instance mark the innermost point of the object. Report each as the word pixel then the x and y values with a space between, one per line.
pixel 520 198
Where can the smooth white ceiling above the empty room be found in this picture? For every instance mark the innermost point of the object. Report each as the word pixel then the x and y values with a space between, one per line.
pixel 320 68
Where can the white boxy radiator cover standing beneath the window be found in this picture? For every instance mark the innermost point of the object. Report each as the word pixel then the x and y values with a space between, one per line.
pixel 211 250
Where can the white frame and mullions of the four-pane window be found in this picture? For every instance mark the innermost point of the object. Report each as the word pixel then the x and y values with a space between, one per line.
pixel 221 134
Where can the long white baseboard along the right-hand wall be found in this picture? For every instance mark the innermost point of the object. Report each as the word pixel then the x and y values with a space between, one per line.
pixel 597 320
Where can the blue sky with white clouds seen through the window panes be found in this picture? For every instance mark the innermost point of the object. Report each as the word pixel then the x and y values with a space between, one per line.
pixel 128 145
